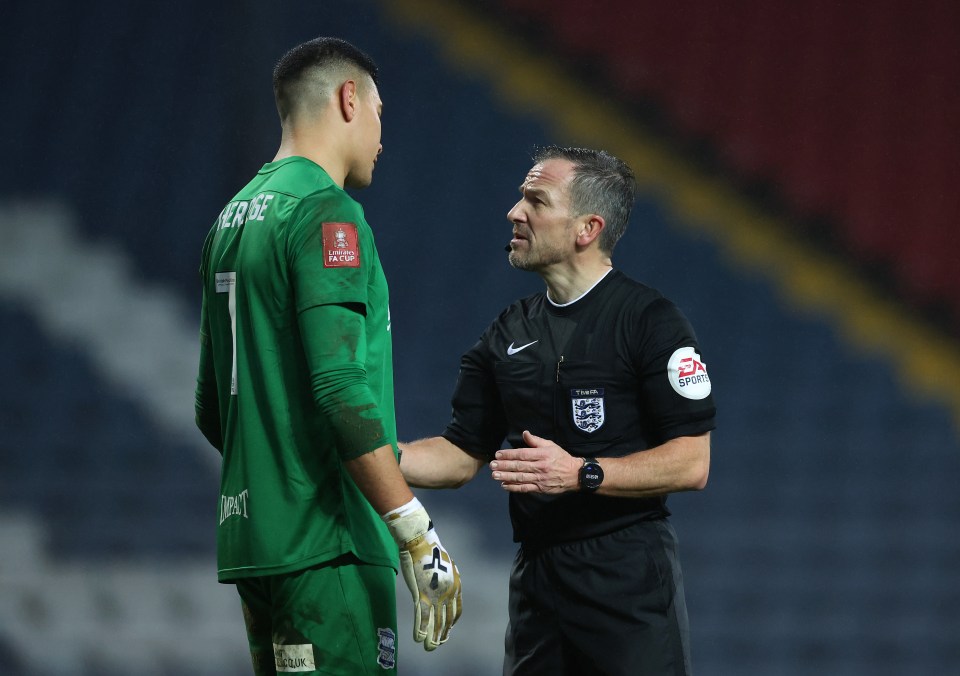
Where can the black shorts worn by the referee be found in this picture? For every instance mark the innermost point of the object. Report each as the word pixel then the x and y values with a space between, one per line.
pixel 612 605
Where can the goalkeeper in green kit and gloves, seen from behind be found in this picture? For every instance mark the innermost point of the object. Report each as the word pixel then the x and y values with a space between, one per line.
pixel 295 389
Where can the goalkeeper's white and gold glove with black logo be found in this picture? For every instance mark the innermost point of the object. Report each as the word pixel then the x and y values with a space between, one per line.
pixel 430 574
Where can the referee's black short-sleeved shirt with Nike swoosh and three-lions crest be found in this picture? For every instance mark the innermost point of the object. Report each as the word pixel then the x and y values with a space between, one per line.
pixel 615 372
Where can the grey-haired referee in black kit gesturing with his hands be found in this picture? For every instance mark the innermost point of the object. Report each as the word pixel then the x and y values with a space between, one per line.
pixel 599 388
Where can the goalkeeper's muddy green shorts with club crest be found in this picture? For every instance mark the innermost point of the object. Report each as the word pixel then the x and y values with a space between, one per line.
pixel 337 618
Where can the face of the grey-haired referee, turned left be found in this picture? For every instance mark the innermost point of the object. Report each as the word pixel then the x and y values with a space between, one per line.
pixel 543 232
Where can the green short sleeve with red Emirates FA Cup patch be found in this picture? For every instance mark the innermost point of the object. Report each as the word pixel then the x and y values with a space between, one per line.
pixel 329 248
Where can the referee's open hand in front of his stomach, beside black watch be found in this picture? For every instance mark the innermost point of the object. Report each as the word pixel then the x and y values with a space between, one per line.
pixel 542 467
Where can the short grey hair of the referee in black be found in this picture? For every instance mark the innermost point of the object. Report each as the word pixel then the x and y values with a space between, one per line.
pixel 602 184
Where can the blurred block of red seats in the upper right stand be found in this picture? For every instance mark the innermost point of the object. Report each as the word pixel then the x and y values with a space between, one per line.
pixel 847 109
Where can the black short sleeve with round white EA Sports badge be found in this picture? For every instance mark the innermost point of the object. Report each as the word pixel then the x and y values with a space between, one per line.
pixel 675 387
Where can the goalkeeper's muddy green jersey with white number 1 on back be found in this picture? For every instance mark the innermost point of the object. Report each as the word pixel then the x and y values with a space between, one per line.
pixel 296 372
